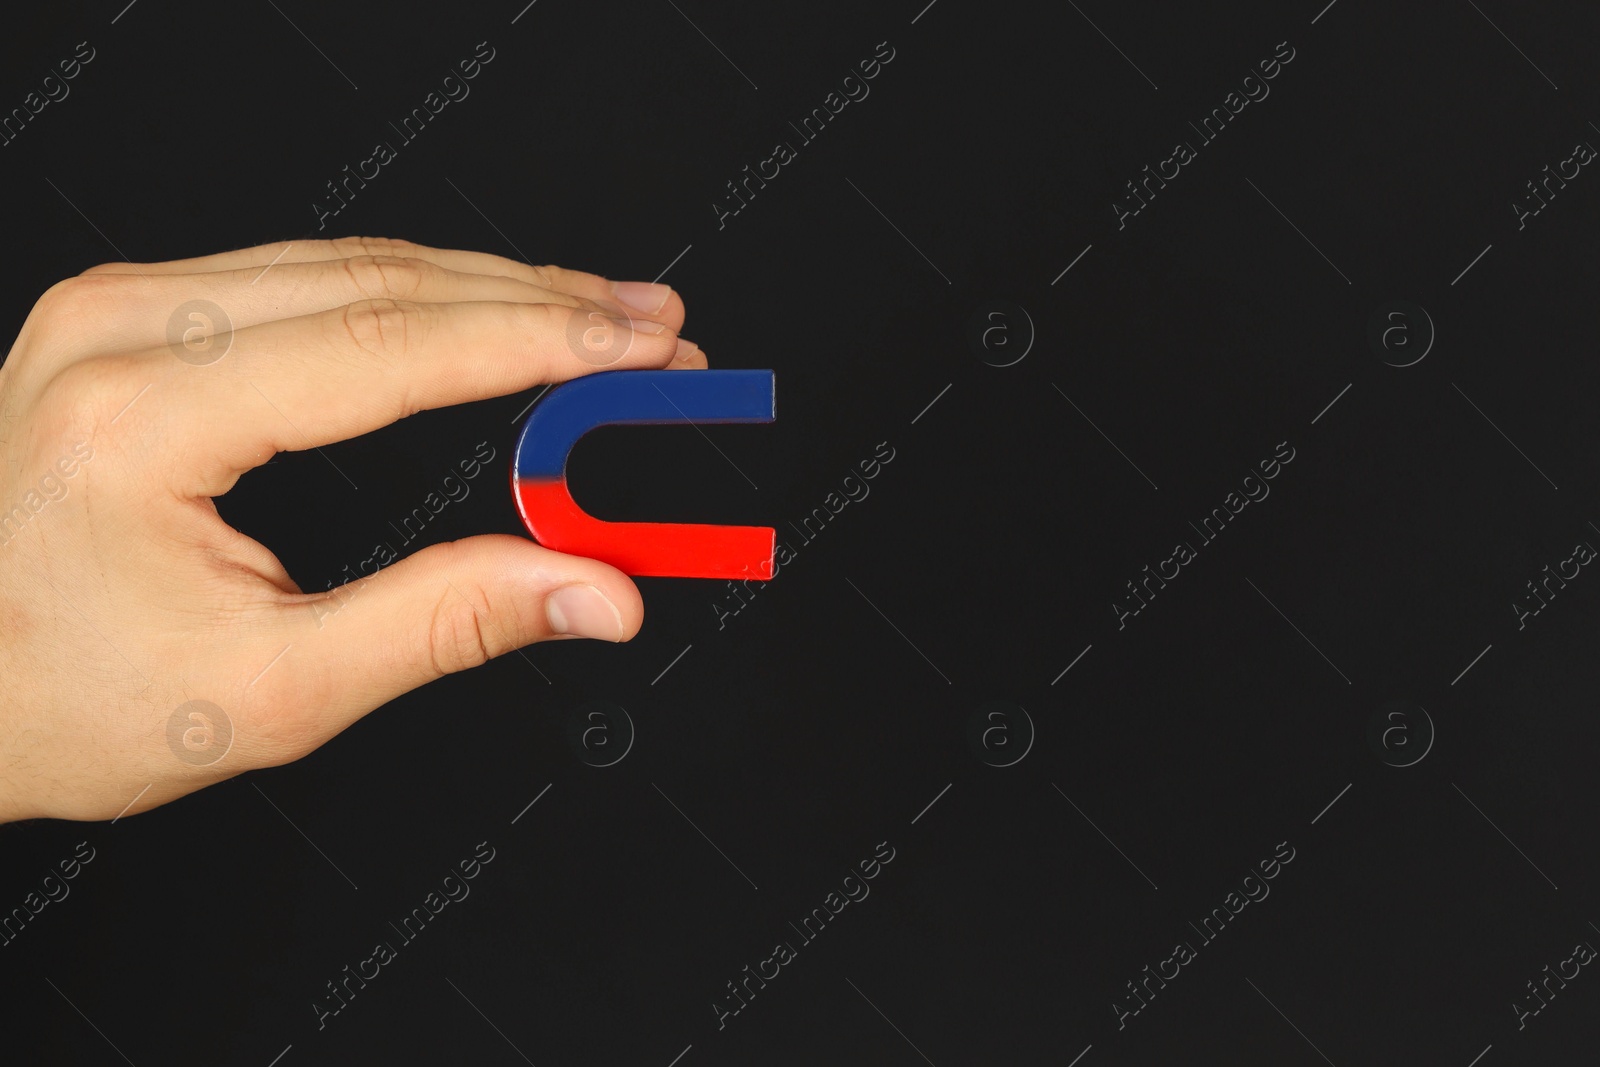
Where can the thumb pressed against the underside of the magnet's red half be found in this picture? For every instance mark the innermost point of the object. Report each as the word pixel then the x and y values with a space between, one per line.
pixel 449 609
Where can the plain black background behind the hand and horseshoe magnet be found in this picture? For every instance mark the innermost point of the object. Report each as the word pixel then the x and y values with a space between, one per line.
pixel 1177 753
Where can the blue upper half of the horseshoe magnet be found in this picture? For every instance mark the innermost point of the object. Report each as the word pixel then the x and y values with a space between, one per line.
pixel 638 399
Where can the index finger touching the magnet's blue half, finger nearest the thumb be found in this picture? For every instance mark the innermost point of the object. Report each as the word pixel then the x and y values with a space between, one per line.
pixel 316 380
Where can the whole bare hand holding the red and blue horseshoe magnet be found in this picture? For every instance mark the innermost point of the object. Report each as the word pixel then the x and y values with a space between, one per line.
pixel 124 596
